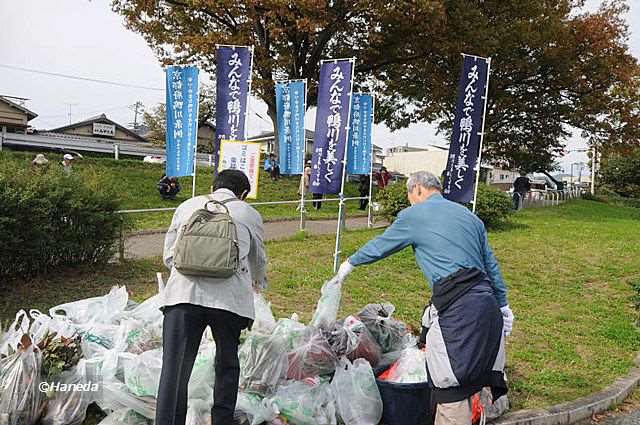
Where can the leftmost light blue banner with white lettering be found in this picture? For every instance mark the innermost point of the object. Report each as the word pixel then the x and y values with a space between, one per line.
pixel 182 119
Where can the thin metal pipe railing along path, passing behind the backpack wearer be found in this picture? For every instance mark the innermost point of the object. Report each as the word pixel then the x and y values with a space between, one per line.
pixel 300 203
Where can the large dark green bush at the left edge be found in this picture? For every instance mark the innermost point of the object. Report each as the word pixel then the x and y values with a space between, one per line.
pixel 49 219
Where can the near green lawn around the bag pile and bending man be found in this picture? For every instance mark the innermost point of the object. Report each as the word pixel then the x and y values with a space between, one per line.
pixel 568 270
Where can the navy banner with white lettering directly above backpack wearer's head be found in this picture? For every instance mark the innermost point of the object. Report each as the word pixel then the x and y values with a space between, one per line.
pixel 233 76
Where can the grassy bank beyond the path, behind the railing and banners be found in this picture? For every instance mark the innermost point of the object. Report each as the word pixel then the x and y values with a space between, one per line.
pixel 136 185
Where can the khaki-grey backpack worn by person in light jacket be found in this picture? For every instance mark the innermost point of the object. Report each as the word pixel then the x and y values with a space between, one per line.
pixel 208 243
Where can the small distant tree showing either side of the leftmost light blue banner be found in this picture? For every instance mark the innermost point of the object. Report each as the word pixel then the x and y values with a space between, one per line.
pixel 156 118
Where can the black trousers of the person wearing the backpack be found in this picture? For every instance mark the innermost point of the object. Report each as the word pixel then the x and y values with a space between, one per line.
pixel 182 332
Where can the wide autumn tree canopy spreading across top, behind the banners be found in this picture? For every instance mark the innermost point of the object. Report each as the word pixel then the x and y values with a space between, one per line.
pixel 554 67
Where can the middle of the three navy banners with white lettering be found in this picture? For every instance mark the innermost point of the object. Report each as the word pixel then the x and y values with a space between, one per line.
pixel 332 121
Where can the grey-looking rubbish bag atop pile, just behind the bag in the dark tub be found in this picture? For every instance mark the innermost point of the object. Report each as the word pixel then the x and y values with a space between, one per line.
pixel 388 332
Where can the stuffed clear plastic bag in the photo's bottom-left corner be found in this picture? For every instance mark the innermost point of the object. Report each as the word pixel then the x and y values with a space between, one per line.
pixel 21 401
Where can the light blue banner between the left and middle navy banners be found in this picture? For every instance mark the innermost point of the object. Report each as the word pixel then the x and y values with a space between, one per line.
pixel 290 108
